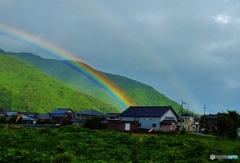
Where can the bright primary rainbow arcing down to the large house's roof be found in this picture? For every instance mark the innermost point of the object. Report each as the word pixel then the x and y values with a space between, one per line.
pixel 57 52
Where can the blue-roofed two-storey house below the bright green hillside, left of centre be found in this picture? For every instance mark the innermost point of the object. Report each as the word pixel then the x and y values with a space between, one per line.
pixel 61 115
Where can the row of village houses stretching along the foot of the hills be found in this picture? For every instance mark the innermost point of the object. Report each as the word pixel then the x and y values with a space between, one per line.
pixel 134 118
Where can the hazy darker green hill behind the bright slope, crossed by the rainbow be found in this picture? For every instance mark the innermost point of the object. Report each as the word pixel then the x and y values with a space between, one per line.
pixel 140 93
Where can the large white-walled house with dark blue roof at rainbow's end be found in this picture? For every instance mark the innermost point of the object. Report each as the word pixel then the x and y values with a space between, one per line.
pixel 145 117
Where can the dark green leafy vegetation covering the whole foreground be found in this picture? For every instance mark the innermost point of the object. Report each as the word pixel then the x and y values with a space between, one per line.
pixel 75 144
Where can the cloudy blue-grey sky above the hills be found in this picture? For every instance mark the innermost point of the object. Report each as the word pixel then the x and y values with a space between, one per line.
pixel 187 50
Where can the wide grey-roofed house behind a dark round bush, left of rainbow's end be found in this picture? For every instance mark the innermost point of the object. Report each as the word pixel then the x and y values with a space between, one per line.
pixel 81 116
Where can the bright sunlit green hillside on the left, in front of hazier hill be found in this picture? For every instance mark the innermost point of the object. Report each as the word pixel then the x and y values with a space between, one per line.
pixel 23 87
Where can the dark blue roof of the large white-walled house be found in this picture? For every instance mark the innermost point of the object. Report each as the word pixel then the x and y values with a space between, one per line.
pixel 146 111
